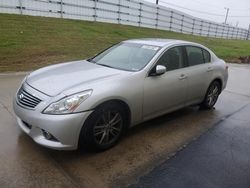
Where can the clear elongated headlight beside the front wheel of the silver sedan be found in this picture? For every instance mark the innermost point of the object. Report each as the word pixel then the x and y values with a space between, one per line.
pixel 68 104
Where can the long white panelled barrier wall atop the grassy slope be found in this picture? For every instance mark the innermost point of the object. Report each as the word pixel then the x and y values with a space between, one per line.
pixel 128 12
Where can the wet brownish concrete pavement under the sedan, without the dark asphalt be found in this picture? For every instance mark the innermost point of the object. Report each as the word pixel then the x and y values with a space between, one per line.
pixel 26 164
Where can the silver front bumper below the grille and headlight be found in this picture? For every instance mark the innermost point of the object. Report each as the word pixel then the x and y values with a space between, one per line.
pixel 65 128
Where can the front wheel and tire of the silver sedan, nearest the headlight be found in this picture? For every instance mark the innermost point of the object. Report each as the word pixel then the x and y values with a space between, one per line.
pixel 103 128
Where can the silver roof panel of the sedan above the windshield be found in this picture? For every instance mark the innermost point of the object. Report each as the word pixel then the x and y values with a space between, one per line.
pixel 158 41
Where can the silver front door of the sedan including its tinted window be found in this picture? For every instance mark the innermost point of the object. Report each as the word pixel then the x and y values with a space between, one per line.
pixel 166 92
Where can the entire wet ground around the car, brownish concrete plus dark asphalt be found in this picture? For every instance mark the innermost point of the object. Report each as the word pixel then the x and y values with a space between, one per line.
pixel 208 148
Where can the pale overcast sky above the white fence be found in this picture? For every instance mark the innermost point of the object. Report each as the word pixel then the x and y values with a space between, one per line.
pixel 239 10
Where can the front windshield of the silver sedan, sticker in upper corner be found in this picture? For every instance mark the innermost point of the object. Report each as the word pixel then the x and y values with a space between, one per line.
pixel 126 56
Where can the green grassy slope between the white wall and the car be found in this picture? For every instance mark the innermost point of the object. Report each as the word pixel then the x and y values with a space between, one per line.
pixel 28 42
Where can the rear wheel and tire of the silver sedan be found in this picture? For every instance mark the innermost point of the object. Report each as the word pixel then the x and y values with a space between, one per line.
pixel 212 95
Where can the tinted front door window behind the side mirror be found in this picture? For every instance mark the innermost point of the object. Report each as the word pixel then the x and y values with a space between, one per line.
pixel 172 59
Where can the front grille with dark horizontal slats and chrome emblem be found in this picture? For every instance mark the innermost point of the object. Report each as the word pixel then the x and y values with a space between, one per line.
pixel 26 99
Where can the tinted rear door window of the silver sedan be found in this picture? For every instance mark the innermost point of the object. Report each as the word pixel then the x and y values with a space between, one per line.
pixel 195 55
